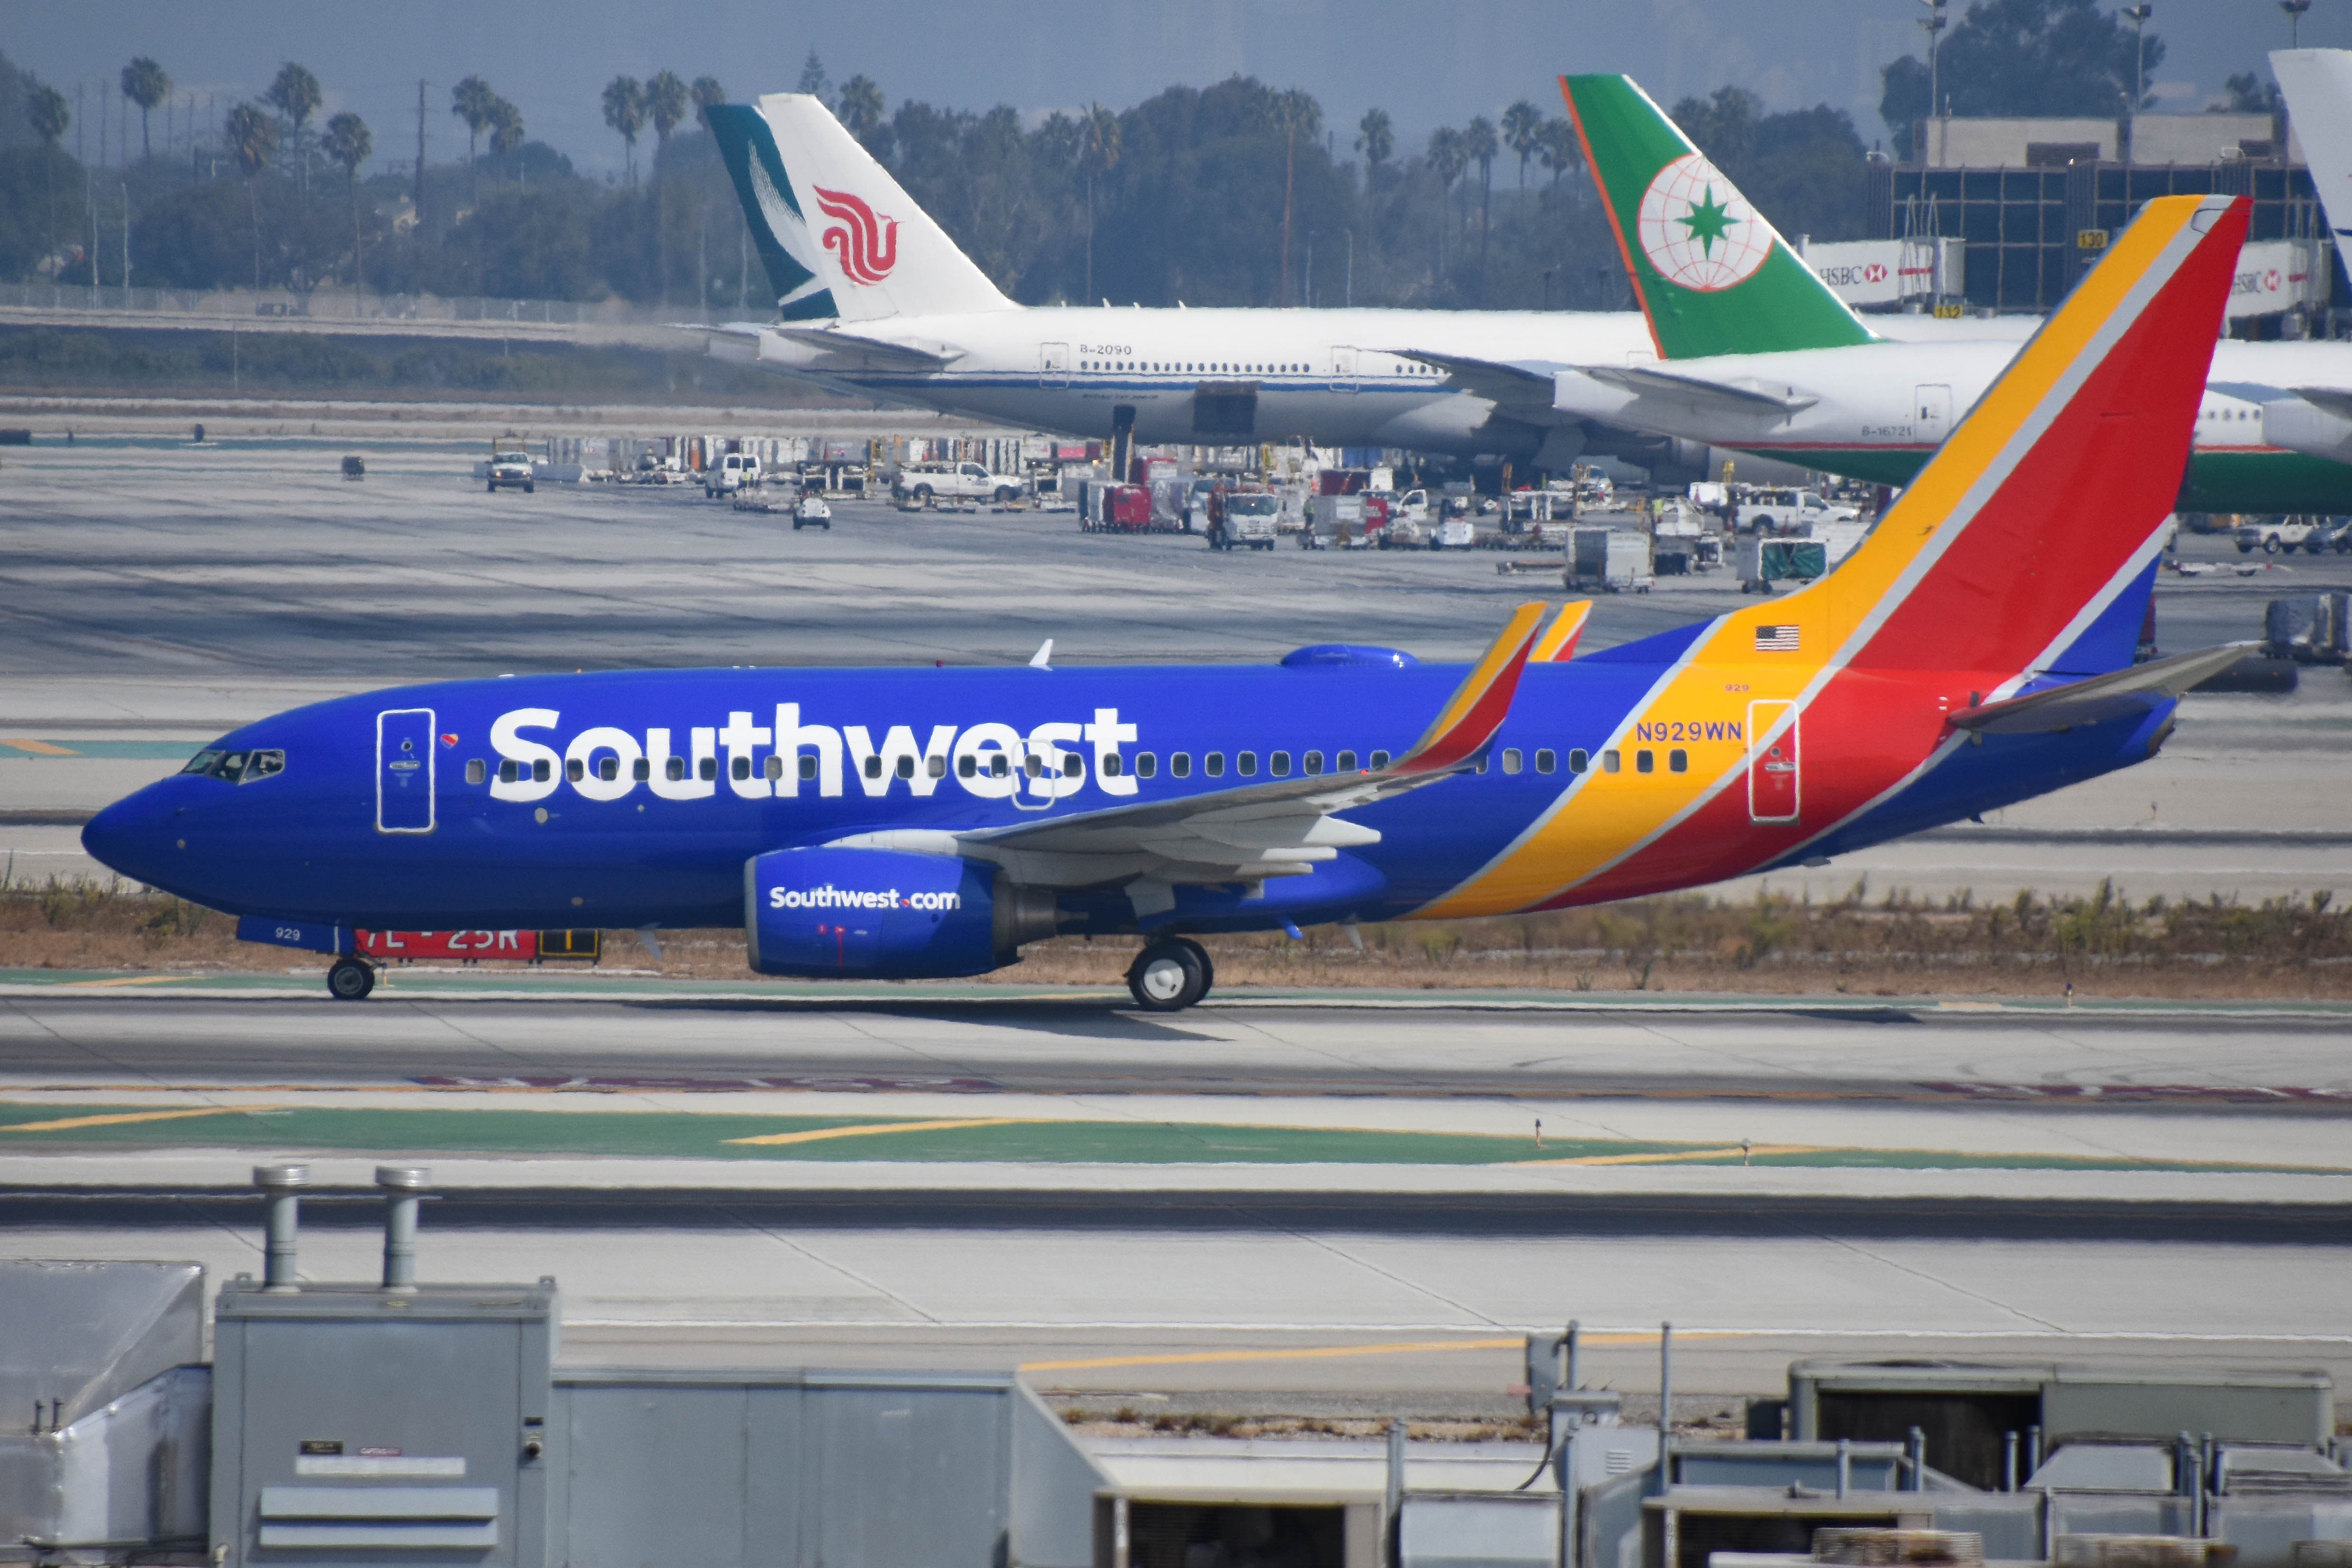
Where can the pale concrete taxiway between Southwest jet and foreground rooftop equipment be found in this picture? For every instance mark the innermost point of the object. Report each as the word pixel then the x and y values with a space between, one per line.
pixel 1967 1188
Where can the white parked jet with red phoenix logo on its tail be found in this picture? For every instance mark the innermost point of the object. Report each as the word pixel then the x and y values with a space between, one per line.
pixel 876 300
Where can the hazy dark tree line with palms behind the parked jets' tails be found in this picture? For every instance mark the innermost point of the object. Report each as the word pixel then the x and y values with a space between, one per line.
pixel 1236 194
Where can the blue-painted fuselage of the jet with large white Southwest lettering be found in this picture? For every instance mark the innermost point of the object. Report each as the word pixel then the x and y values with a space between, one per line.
pixel 636 798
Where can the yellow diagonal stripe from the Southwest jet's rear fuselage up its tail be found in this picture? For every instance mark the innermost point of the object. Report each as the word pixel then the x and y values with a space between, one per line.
pixel 1605 817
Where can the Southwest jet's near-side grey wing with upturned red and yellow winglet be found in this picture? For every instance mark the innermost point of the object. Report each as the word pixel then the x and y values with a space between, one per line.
pixel 1250 833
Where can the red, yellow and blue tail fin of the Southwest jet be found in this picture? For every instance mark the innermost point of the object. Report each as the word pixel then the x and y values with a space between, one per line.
pixel 2029 542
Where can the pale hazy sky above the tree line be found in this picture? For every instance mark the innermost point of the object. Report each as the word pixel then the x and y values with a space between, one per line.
pixel 1424 62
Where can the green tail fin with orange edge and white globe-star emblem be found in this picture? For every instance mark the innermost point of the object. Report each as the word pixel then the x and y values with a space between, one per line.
pixel 1709 269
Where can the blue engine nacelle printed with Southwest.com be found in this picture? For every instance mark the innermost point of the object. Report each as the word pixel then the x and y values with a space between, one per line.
pixel 886 916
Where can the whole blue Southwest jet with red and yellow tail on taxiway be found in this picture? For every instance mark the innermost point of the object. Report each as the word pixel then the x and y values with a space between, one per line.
pixel 904 824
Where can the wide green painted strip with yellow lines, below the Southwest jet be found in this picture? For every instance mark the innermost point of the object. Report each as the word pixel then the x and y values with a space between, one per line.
pixel 911 1139
